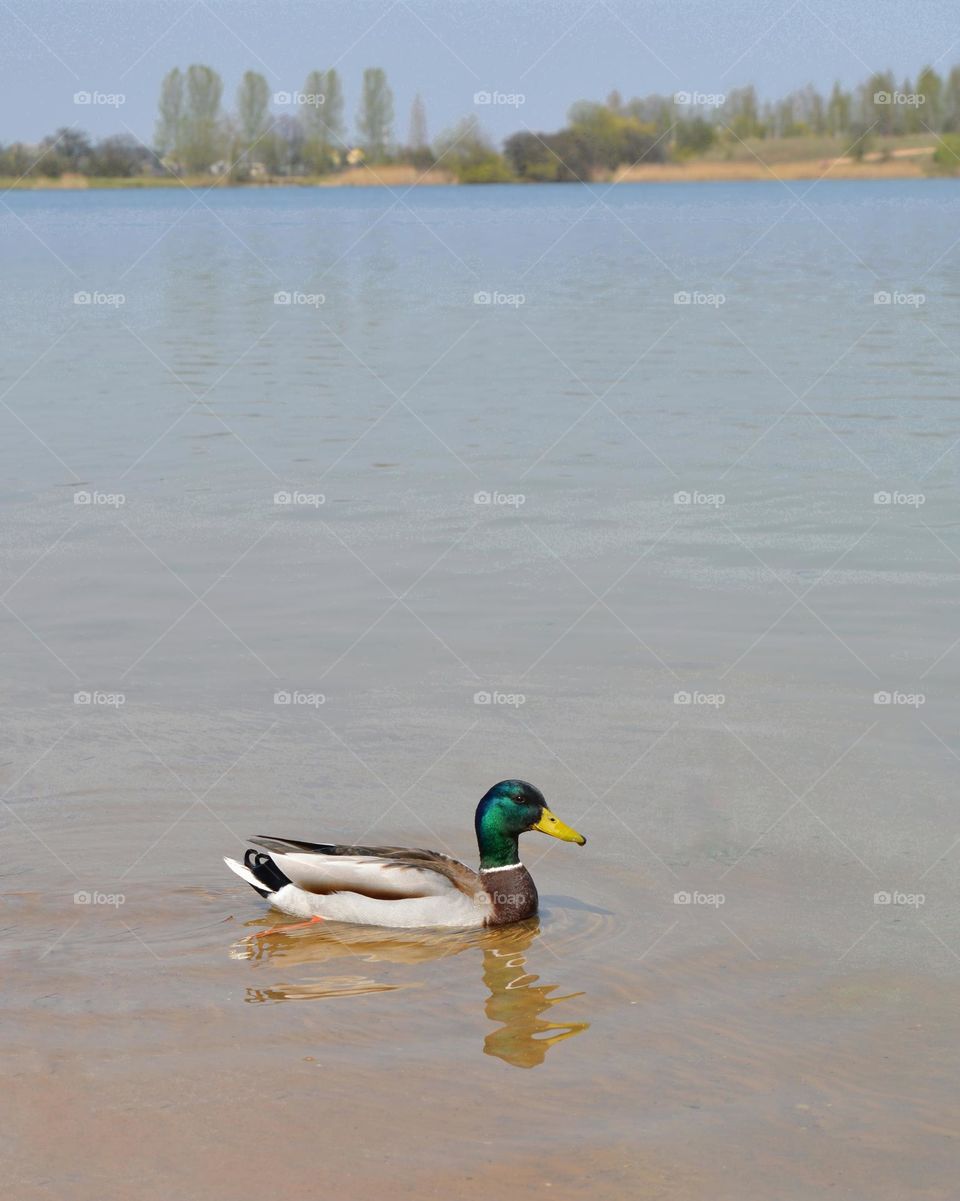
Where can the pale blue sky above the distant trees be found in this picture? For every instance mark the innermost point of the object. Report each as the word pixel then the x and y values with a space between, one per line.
pixel 552 53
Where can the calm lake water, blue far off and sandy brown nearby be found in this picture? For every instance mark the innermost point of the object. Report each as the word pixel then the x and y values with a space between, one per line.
pixel 690 567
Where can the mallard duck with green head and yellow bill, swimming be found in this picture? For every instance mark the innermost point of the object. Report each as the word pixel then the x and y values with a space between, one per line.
pixel 396 887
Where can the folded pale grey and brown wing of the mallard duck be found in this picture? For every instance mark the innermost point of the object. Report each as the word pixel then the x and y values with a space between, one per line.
pixel 380 873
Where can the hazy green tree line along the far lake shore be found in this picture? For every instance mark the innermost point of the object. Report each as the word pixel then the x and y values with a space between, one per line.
pixel 308 136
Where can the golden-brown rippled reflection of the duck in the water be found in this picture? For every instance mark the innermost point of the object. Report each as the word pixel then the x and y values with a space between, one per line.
pixel 517 1002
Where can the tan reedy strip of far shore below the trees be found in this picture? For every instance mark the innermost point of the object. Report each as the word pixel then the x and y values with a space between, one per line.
pixel 902 164
